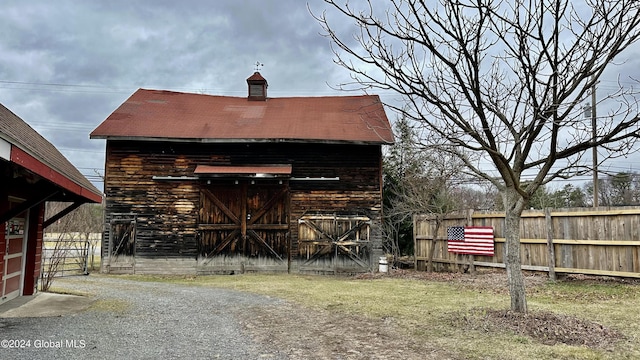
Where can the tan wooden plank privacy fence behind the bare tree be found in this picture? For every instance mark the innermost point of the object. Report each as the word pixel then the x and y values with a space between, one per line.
pixel 601 241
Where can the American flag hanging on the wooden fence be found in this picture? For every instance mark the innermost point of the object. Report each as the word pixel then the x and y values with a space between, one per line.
pixel 474 240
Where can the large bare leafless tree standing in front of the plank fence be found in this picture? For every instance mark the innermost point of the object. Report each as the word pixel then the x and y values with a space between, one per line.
pixel 504 79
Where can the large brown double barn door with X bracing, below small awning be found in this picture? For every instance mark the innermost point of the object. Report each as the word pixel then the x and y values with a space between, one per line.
pixel 244 219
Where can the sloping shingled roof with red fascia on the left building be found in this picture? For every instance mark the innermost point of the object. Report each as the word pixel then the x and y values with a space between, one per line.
pixel 33 152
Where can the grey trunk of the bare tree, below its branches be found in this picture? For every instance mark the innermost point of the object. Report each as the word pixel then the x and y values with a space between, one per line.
pixel 514 204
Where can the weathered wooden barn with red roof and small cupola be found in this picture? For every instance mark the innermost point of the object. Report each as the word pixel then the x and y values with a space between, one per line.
pixel 217 184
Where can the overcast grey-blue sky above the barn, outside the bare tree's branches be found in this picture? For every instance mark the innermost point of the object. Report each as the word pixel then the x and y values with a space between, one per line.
pixel 66 65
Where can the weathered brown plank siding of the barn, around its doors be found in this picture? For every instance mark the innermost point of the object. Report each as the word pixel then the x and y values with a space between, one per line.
pixel 167 211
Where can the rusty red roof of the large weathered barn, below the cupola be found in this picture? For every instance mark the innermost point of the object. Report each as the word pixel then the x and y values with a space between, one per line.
pixel 160 115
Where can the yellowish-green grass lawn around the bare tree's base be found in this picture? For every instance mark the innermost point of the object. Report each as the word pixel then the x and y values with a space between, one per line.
pixel 467 314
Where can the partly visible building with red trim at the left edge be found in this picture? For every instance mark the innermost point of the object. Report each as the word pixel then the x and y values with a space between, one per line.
pixel 32 172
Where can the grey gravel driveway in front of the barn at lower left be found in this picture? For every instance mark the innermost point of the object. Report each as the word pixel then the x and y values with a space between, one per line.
pixel 141 320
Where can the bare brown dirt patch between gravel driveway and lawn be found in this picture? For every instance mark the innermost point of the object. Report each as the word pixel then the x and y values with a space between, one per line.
pixel 304 333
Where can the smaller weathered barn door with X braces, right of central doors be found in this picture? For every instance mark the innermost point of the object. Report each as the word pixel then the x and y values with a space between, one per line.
pixel 334 243
